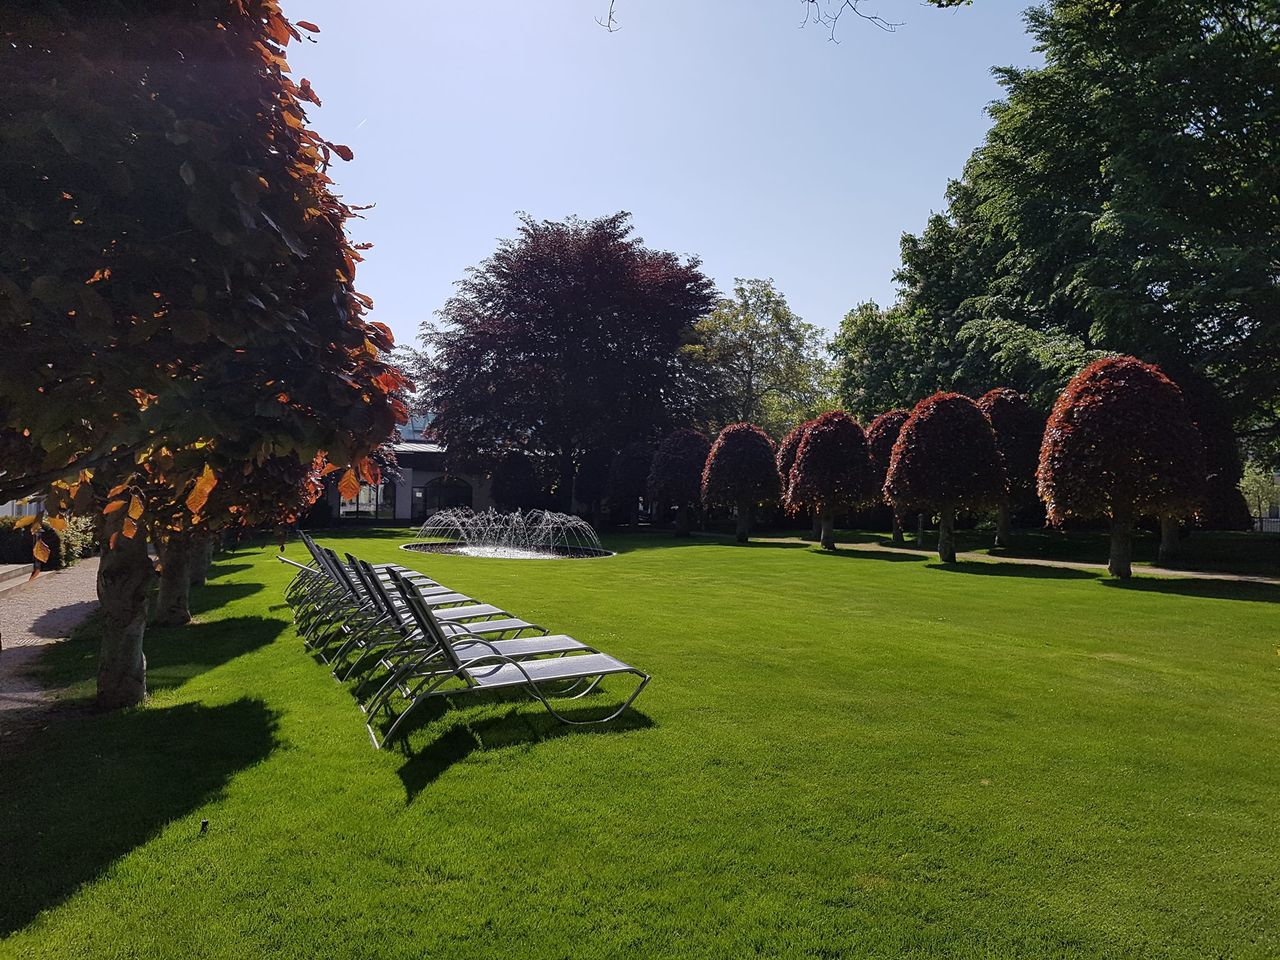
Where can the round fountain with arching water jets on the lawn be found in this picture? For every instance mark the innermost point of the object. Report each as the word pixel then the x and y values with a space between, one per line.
pixel 536 534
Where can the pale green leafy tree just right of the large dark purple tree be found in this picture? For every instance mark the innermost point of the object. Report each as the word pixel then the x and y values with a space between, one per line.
pixel 760 362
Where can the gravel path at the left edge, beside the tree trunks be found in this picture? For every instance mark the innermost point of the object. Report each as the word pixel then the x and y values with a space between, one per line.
pixel 34 615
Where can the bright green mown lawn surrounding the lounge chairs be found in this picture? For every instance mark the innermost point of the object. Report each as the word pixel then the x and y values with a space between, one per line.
pixel 840 756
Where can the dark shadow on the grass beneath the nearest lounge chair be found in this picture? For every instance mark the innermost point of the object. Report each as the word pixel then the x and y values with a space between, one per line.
pixel 518 726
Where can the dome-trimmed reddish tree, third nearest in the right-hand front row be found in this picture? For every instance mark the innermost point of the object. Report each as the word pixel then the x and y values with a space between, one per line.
pixel 833 469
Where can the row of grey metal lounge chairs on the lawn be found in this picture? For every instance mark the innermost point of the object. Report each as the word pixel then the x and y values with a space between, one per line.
pixel 410 639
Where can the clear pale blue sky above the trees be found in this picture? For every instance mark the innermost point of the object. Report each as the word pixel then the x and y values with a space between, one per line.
pixel 729 132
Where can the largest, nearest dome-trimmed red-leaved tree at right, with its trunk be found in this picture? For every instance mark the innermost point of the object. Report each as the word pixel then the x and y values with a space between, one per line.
pixel 1121 444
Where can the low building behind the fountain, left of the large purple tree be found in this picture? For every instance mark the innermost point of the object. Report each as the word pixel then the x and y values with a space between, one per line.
pixel 426 486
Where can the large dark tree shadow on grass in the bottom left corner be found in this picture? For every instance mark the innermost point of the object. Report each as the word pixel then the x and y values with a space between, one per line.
pixel 94 788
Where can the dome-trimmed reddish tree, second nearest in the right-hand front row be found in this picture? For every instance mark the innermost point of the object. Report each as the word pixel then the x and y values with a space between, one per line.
pixel 945 459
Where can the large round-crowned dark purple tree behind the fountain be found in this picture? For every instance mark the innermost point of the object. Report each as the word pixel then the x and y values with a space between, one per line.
pixel 566 340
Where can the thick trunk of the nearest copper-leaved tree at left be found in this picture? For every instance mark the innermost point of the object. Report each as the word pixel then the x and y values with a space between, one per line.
pixel 124 579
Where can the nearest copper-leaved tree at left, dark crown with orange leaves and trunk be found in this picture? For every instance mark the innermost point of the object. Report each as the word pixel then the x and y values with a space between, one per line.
pixel 176 285
